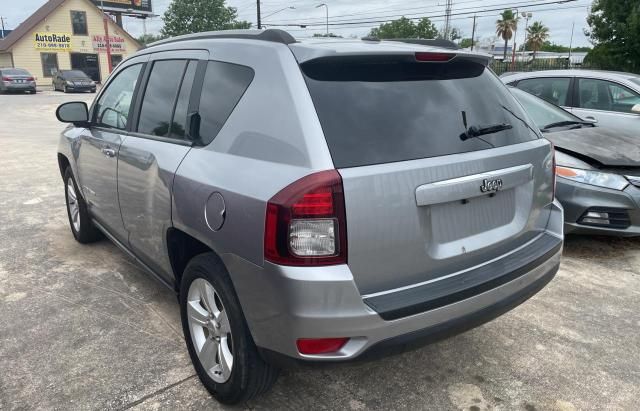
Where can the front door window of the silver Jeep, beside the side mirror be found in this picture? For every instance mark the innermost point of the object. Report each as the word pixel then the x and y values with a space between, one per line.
pixel 112 110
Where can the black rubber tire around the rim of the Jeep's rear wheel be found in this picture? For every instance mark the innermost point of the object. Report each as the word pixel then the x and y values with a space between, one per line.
pixel 250 375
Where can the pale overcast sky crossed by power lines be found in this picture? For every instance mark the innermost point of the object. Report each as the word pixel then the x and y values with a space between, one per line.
pixel 361 16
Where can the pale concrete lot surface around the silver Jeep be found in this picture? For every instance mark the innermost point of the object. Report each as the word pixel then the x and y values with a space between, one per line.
pixel 82 327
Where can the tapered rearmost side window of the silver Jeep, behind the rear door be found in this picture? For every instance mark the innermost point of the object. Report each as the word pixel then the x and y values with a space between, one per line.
pixel 223 86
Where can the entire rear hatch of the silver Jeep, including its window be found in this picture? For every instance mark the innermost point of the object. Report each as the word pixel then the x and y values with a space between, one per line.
pixel 442 169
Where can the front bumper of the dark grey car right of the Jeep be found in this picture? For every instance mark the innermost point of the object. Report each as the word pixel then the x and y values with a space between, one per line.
pixel 577 198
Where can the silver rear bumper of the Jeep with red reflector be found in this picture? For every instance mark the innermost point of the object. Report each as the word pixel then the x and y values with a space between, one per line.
pixel 282 304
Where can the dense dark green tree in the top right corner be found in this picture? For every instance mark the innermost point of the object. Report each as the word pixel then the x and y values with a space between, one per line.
pixel 614 30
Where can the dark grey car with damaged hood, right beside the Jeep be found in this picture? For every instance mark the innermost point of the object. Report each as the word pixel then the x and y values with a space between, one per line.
pixel 598 170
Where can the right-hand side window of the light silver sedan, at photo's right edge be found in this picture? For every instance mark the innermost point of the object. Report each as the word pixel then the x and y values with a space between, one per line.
pixel 605 95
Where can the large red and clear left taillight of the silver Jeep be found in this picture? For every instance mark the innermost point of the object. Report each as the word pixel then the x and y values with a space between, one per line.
pixel 305 223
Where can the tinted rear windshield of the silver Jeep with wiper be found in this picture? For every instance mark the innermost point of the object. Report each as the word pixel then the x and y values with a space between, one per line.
pixel 385 111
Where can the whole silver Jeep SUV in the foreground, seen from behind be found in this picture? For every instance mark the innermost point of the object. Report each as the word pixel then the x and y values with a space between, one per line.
pixel 314 201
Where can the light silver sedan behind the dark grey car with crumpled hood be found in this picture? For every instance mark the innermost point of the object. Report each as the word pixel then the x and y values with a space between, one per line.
pixel 611 99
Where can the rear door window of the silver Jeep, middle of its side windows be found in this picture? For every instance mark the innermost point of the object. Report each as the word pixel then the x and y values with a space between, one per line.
pixel 160 97
